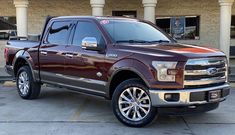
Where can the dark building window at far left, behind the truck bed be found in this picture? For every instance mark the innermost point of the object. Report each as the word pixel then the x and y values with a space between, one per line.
pixel 7 27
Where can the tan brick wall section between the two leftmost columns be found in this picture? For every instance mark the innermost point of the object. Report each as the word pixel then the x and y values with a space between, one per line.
pixel 39 9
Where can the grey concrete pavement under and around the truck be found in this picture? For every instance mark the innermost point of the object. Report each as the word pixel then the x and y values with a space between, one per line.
pixel 60 112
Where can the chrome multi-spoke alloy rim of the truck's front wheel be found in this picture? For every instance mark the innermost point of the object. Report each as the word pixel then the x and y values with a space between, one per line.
pixel 134 104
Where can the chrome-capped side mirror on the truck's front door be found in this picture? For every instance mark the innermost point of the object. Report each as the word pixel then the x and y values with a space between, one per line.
pixel 90 43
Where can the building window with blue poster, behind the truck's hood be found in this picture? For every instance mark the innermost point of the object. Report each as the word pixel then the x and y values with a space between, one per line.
pixel 184 27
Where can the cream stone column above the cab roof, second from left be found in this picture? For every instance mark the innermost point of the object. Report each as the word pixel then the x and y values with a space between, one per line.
pixel 97 7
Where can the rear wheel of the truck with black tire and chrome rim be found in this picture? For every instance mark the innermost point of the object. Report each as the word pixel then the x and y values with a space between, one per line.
pixel 27 87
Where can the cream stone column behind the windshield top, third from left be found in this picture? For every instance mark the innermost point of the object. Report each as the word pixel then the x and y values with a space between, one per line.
pixel 149 10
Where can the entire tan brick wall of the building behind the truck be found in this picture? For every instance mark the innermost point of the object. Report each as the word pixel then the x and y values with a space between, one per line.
pixel 208 10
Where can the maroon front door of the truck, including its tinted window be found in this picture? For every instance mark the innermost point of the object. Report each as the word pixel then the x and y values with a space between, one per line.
pixel 86 67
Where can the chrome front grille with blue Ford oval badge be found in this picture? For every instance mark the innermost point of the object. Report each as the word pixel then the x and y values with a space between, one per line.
pixel 207 71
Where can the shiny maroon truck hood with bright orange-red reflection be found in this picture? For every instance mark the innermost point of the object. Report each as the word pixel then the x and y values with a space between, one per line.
pixel 175 51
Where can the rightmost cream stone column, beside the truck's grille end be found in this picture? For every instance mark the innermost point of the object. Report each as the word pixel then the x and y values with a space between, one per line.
pixel 225 24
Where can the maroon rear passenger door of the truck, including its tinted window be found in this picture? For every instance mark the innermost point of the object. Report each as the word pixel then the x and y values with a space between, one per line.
pixel 51 53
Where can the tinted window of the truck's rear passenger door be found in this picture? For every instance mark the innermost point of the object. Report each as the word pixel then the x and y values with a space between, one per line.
pixel 59 33
